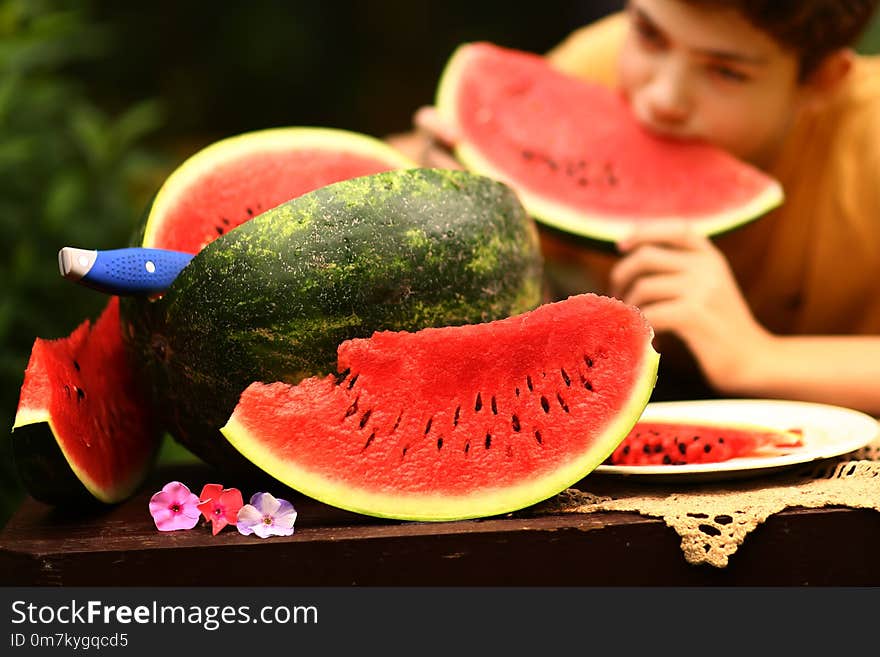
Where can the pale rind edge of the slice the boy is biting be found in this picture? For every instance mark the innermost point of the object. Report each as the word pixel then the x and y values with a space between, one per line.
pixel 595 226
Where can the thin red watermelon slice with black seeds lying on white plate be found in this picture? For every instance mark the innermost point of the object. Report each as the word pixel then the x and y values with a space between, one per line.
pixel 676 443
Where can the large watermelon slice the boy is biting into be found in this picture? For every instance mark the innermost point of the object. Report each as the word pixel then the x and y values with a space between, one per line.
pixel 579 159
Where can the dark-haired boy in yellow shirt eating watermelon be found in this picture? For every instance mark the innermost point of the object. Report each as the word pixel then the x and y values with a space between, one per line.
pixel 787 306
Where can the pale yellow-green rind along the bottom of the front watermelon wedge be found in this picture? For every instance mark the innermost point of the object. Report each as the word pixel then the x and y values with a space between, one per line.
pixel 441 508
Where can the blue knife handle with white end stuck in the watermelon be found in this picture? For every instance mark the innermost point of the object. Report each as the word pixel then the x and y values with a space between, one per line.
pixel 123 271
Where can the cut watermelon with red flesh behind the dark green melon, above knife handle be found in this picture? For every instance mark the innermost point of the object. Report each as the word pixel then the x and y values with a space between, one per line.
pixel 235 179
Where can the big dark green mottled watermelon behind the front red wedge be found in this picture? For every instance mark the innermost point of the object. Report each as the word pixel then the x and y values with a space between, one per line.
pixel 272 299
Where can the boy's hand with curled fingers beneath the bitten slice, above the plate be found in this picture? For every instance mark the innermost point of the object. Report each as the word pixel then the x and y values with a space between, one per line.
pixel 684 285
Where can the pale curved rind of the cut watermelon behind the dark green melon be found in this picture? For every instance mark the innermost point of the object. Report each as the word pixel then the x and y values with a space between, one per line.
pixel 289 139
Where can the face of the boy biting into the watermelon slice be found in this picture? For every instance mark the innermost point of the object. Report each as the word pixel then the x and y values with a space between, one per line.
pixel 707 73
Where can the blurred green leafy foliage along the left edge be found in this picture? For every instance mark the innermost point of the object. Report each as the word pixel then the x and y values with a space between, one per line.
pixel 70 174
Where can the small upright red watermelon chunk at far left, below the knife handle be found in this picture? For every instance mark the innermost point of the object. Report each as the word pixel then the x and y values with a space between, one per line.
pixel 80 404
